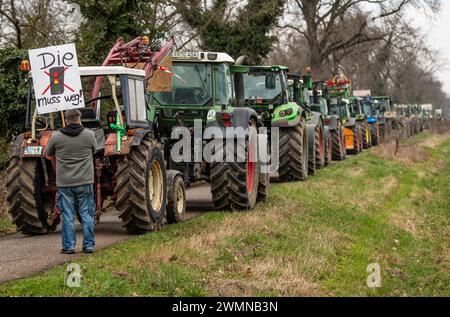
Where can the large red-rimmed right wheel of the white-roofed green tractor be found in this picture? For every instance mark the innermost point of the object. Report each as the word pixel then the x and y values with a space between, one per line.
pixel 234 185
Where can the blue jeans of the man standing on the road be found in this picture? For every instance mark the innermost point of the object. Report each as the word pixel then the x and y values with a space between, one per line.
pixel 71 200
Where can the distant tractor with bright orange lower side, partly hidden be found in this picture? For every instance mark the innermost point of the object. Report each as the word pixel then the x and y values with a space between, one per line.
pixel 339 105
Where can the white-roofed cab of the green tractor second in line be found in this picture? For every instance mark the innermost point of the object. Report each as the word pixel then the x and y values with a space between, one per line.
pixel 202 83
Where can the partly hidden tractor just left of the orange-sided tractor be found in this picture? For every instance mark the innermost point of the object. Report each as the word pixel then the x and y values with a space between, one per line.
pixel 335 131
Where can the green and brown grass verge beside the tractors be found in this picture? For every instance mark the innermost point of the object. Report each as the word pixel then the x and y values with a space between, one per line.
pixel 311 239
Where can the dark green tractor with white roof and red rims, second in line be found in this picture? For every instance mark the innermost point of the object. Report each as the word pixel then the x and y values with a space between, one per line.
pixel 206 99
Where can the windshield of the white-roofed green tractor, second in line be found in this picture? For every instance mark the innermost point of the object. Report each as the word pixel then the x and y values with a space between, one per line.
pixel 191 85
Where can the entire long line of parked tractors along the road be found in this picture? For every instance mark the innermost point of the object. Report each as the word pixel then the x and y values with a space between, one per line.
pixel 318 122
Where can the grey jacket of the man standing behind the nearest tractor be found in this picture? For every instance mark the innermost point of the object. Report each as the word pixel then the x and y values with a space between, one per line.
pixel 74 148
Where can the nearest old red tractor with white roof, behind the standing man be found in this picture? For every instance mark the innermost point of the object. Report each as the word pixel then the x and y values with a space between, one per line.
pixel 129 165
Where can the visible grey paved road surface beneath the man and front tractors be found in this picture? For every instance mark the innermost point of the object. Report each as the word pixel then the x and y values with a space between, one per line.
pixel 22 256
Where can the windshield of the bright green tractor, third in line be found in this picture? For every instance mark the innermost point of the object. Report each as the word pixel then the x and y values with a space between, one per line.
pixel 264 85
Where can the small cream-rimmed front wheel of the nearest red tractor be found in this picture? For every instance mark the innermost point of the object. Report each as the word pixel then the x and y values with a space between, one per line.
pixel 176 197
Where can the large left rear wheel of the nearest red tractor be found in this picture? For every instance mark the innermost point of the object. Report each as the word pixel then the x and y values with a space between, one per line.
pixel 28 205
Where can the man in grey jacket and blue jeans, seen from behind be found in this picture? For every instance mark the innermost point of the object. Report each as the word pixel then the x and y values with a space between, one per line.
pixel 74 148
